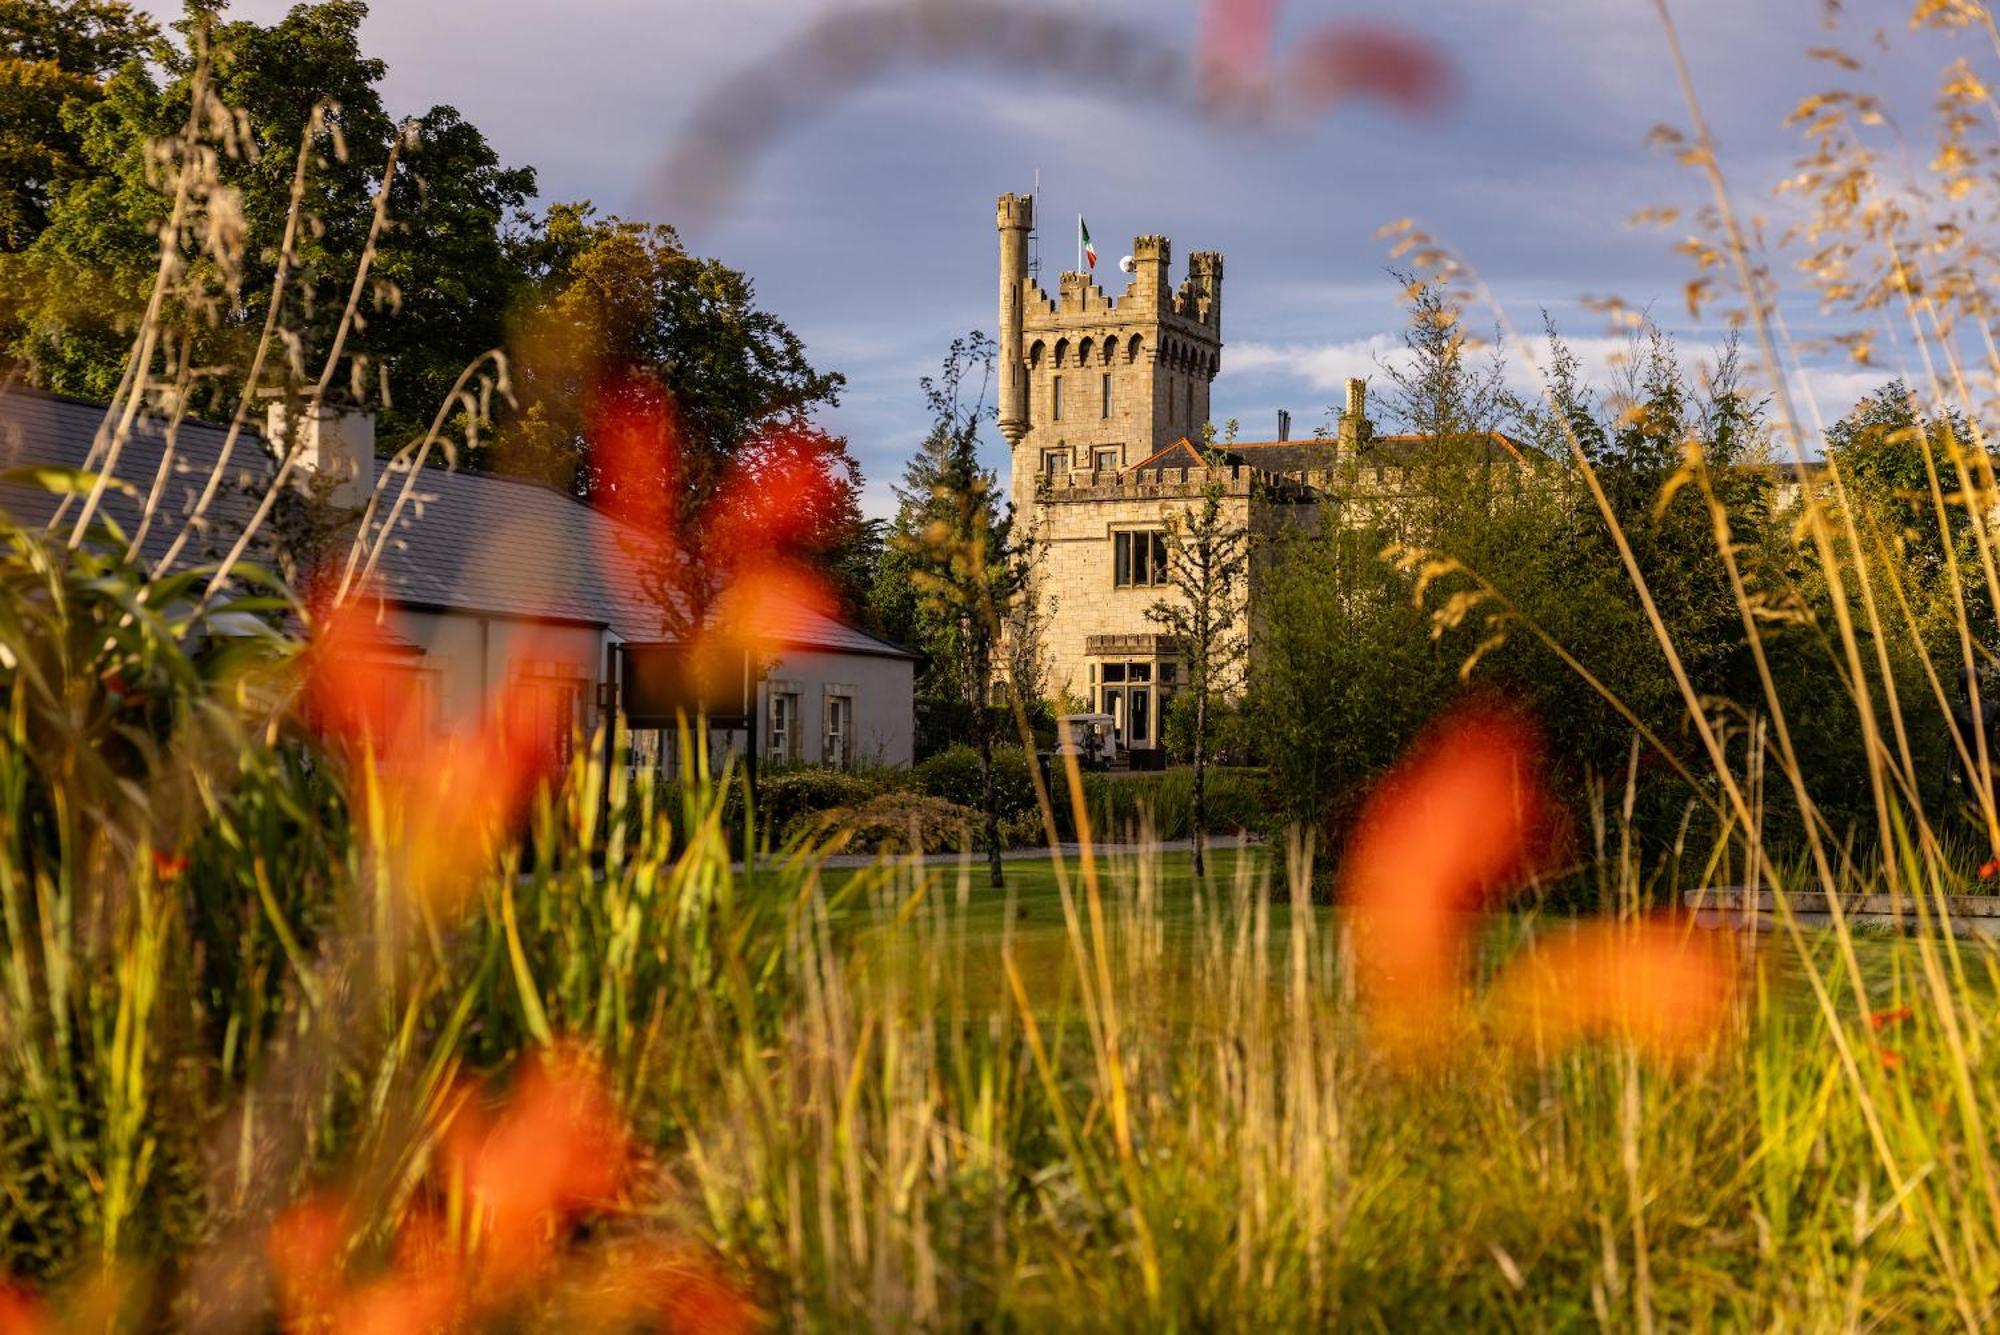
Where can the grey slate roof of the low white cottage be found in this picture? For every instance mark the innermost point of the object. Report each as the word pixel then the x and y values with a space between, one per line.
pixel 461 543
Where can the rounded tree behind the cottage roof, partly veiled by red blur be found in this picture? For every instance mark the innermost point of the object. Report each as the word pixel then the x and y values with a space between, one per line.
pixel 651 383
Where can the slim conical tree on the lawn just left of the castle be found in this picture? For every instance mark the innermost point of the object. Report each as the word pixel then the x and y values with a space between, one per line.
pixel 961 549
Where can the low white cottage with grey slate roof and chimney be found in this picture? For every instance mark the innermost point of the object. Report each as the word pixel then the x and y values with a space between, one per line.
pixel 503 591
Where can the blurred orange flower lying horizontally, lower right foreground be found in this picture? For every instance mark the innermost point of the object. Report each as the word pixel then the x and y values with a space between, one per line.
pixel 1653 984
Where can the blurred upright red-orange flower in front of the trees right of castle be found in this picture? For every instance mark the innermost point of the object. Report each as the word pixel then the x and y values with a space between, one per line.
pixel 1449 830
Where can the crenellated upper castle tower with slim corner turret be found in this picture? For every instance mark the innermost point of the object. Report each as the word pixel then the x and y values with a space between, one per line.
pixel 1091 383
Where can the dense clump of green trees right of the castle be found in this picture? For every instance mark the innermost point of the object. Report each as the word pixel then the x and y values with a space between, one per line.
pixel 1523 583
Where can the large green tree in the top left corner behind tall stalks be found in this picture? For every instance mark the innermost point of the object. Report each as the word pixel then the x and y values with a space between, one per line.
pixel 443 277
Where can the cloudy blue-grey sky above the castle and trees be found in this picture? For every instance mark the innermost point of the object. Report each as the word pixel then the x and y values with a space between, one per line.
pixel 869 225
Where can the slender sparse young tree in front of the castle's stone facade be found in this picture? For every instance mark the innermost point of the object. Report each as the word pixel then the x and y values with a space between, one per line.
pixel 1209 565
